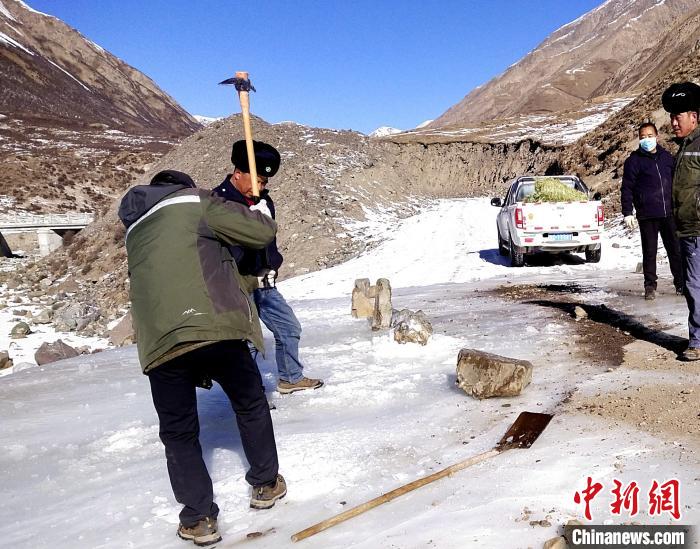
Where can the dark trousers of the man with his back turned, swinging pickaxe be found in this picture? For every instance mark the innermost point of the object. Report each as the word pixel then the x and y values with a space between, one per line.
pixel 173 387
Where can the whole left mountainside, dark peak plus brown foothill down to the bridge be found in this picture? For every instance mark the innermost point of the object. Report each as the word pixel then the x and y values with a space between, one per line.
pixel 76 123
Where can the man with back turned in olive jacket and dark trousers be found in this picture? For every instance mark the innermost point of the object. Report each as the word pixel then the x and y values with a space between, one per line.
pixel 193 322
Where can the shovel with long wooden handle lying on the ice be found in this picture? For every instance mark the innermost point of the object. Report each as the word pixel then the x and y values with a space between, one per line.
pixel 522 434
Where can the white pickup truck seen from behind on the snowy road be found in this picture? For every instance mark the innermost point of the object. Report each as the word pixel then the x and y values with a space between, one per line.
pixel 554 227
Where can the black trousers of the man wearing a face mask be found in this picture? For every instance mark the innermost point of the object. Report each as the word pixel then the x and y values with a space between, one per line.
pixel 649 230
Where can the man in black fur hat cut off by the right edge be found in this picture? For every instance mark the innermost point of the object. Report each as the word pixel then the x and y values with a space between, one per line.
pixel 682 102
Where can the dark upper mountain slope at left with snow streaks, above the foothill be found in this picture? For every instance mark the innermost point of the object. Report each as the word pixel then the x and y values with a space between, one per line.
pixel 51 73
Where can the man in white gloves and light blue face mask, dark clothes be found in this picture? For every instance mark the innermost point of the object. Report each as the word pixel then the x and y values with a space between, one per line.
pixel 647 186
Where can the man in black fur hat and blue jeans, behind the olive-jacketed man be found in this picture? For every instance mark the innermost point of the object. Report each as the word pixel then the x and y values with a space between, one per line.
pixel 263 266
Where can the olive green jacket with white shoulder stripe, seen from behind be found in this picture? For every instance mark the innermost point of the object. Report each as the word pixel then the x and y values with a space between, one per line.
pixel 185 287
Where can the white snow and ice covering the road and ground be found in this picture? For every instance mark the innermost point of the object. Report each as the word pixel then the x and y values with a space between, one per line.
pixel 81 464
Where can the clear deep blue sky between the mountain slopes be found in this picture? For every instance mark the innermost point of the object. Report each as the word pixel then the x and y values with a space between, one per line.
pixel 335 64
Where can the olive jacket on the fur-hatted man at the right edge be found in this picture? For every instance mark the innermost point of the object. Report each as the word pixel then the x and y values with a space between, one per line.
pixel 686 186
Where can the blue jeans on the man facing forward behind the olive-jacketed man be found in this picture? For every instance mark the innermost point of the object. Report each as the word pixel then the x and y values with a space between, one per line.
pixel 278 316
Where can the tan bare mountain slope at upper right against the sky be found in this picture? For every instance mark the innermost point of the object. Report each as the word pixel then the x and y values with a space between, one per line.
pixel 616 49
